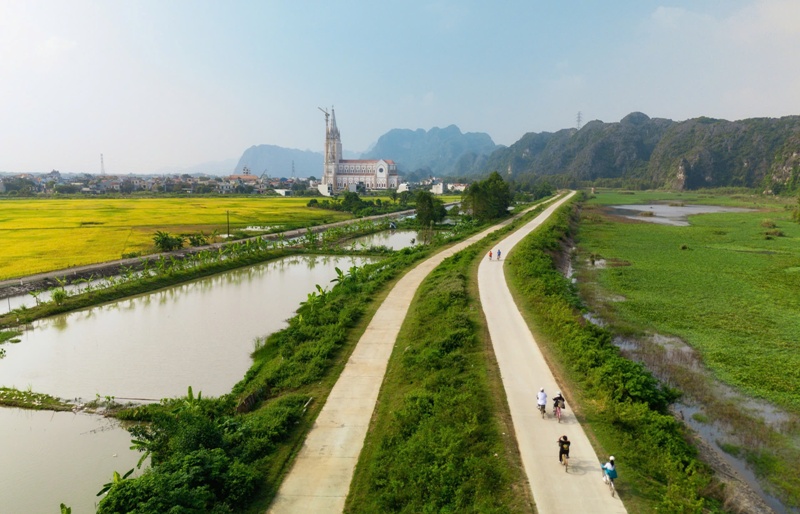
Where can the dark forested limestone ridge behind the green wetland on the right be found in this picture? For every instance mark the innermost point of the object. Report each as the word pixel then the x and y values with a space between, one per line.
pixel 654 152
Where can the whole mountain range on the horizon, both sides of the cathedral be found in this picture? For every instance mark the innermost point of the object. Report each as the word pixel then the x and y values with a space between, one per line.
pixel 636 151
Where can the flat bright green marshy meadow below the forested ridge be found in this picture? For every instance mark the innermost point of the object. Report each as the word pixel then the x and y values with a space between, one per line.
pixel 726 286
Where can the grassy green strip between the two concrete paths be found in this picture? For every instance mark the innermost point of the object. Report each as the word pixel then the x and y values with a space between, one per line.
pixel 438 442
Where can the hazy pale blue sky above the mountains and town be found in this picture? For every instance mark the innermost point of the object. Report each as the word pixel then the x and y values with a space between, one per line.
pixel 169 84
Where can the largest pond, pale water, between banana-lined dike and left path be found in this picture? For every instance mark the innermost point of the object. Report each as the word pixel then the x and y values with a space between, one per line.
pixel 153 346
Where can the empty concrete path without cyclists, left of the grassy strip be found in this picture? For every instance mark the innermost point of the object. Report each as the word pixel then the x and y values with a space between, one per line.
pixel 320 476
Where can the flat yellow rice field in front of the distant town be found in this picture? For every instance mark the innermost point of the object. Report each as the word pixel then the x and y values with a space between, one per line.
pixel 39 235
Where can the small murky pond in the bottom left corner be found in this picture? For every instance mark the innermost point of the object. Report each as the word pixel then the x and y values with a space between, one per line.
pixel 51 458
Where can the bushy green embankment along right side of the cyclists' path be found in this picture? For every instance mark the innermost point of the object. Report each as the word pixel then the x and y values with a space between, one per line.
pixel 623 406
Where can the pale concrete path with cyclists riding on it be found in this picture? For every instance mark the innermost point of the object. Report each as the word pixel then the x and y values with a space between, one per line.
pixel 524 371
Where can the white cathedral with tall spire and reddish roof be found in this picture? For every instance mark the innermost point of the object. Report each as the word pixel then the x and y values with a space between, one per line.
pixel 347 174
